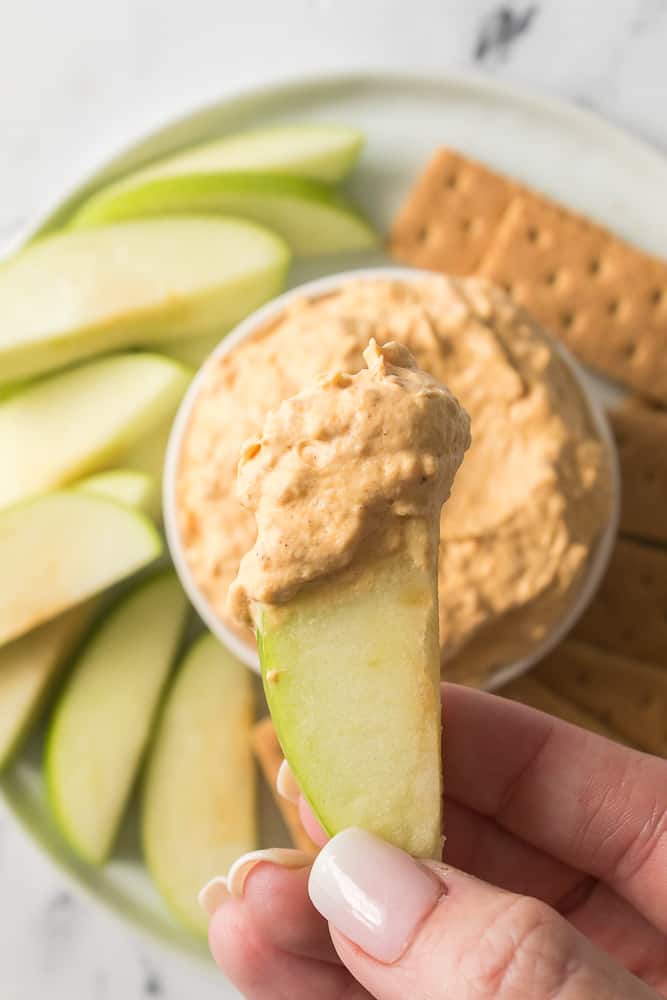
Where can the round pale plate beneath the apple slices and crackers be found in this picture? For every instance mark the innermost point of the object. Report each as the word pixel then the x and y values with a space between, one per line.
pixel 567 153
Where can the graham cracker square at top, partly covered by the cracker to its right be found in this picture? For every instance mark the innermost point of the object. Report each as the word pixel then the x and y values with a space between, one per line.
pixel 451 214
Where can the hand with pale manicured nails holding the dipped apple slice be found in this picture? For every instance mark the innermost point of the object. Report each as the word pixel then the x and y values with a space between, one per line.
pixel 563 836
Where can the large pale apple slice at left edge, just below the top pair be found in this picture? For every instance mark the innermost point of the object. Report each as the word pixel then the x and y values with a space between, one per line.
pixel 76 294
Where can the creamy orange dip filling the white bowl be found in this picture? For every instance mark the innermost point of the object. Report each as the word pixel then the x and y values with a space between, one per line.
pixel 531 496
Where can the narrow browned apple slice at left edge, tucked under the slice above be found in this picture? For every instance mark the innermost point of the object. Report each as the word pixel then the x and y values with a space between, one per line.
pixel 29 667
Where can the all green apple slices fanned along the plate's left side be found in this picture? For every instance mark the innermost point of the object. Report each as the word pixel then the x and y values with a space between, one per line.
pixel 102 321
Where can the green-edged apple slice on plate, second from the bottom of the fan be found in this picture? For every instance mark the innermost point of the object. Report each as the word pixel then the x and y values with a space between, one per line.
pixel 102 722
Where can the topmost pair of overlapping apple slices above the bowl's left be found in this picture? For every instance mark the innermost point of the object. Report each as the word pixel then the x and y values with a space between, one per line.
pixel 279 177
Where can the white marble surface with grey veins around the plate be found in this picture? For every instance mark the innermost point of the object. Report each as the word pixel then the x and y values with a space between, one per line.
pixel 78 79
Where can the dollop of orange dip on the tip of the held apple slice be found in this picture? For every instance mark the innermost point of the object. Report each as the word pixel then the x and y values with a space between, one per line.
pixel 339 470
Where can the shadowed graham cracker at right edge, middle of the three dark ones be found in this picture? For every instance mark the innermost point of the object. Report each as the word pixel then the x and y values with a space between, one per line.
pixel 628 615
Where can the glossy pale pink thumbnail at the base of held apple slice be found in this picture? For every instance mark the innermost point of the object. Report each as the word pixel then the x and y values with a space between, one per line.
pixel 372 892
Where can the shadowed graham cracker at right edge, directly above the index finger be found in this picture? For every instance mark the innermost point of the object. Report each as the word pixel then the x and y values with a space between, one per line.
pixel 629 696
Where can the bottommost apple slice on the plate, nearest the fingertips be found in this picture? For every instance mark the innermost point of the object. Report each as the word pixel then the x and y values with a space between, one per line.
pixel 198 808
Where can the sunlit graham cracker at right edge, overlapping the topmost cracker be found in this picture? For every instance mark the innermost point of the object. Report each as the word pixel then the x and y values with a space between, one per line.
pixel 605 299
